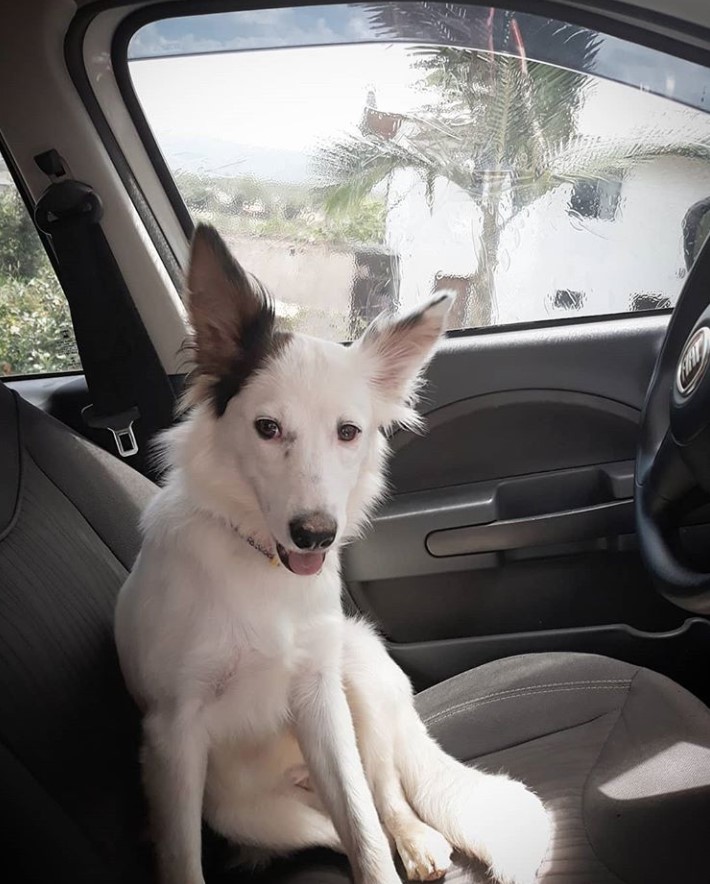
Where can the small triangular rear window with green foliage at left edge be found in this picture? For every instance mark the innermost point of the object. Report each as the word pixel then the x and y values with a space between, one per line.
pixel 36 334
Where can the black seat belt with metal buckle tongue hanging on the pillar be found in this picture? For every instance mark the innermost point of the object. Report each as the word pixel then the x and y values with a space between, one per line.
pixel 131 396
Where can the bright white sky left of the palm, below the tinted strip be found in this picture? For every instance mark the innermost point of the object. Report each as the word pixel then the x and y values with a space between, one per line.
pixel 288 98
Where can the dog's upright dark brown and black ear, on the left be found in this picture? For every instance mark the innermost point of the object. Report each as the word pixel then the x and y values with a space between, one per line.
pixel 231 315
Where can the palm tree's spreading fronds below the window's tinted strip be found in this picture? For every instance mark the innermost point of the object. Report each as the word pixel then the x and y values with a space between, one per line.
pixel 493 126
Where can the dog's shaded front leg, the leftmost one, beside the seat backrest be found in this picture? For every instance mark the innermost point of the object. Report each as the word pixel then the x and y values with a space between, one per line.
pixel 174 769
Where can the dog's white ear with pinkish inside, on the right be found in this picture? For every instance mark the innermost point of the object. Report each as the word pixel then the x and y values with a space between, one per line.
pixel 398 349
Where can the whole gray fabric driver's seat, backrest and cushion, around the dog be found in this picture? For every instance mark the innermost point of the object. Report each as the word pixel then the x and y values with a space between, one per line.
pixel 620 754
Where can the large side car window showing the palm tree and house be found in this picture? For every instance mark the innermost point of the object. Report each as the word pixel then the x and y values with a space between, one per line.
pixel 366 156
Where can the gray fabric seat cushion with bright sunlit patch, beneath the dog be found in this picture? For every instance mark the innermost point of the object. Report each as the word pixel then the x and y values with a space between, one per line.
pixel 620 755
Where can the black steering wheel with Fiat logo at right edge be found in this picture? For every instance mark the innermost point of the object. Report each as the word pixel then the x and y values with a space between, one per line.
pixel 673 456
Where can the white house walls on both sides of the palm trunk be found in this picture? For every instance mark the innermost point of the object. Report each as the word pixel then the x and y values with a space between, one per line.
pixel 546 248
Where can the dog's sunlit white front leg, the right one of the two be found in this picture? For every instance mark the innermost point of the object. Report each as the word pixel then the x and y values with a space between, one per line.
pixel 326 735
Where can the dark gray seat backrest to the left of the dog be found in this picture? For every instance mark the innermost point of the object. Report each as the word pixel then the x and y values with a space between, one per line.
pixel 71 806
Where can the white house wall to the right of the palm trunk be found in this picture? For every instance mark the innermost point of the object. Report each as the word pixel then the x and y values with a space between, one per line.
pixel 639 252
